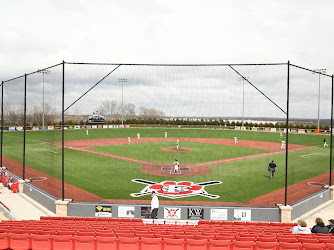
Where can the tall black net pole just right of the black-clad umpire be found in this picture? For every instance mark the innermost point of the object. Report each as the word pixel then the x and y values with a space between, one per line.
pixel 287 136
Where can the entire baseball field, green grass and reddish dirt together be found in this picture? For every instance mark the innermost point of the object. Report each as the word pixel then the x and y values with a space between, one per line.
pixel 101 166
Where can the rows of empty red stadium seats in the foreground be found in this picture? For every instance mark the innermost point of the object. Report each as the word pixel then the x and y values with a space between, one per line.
pixel 117 234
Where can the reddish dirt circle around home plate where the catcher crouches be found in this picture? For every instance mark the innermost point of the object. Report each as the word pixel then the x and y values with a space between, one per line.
pixel 166 170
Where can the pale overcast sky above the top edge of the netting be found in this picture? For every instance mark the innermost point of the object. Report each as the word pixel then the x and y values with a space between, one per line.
pixel 36 34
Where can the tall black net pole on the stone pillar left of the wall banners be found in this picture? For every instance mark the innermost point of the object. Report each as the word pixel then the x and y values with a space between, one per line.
pixel 63 135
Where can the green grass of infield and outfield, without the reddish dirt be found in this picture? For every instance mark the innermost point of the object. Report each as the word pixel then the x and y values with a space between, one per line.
pixel 111 178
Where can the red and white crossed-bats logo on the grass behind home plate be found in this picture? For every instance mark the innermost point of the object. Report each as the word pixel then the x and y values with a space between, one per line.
pixel 175 190
